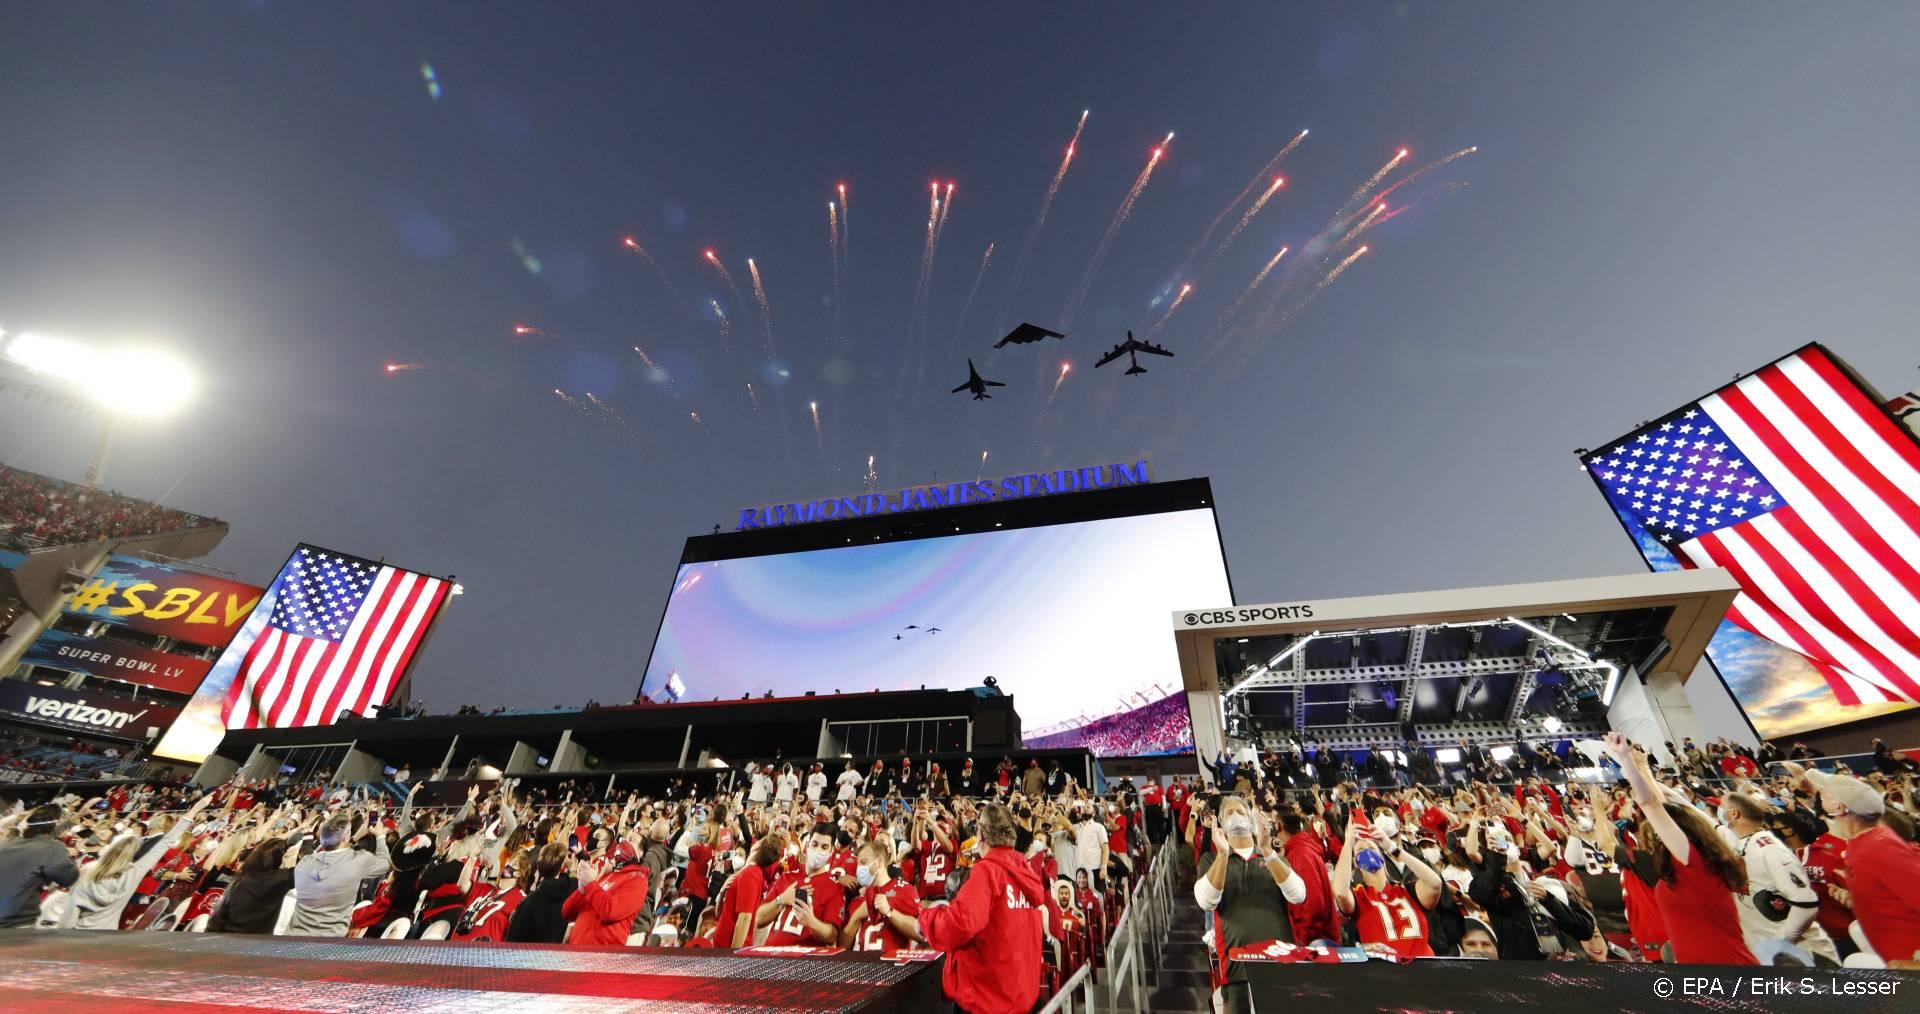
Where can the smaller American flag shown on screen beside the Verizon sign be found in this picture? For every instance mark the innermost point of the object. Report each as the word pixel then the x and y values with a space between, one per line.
pixel 341 637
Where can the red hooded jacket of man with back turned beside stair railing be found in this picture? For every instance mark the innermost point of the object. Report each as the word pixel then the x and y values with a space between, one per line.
pixel 992 934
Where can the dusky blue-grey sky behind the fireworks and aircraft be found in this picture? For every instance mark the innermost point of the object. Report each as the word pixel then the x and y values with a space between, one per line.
pixel 1662 197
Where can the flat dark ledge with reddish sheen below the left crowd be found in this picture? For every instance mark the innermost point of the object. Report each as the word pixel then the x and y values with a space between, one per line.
pixel 108 973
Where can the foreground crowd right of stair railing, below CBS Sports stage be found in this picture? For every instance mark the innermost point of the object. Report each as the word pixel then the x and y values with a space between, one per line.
pixel 1700 861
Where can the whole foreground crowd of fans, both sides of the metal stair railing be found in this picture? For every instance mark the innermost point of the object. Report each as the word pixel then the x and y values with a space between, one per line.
pixel 1017 871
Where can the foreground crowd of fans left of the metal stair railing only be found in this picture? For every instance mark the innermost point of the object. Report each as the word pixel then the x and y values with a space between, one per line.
pixel 1017 873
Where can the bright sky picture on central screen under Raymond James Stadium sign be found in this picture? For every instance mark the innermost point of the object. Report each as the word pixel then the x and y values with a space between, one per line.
pixel 1070 619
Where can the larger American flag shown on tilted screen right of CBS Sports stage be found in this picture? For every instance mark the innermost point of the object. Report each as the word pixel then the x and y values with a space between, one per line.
pixel 1808 491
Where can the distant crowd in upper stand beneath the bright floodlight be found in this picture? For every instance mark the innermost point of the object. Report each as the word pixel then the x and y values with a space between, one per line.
pixel 39 512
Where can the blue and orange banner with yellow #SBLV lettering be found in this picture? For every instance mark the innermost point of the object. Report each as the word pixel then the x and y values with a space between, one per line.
pixel 164 600
